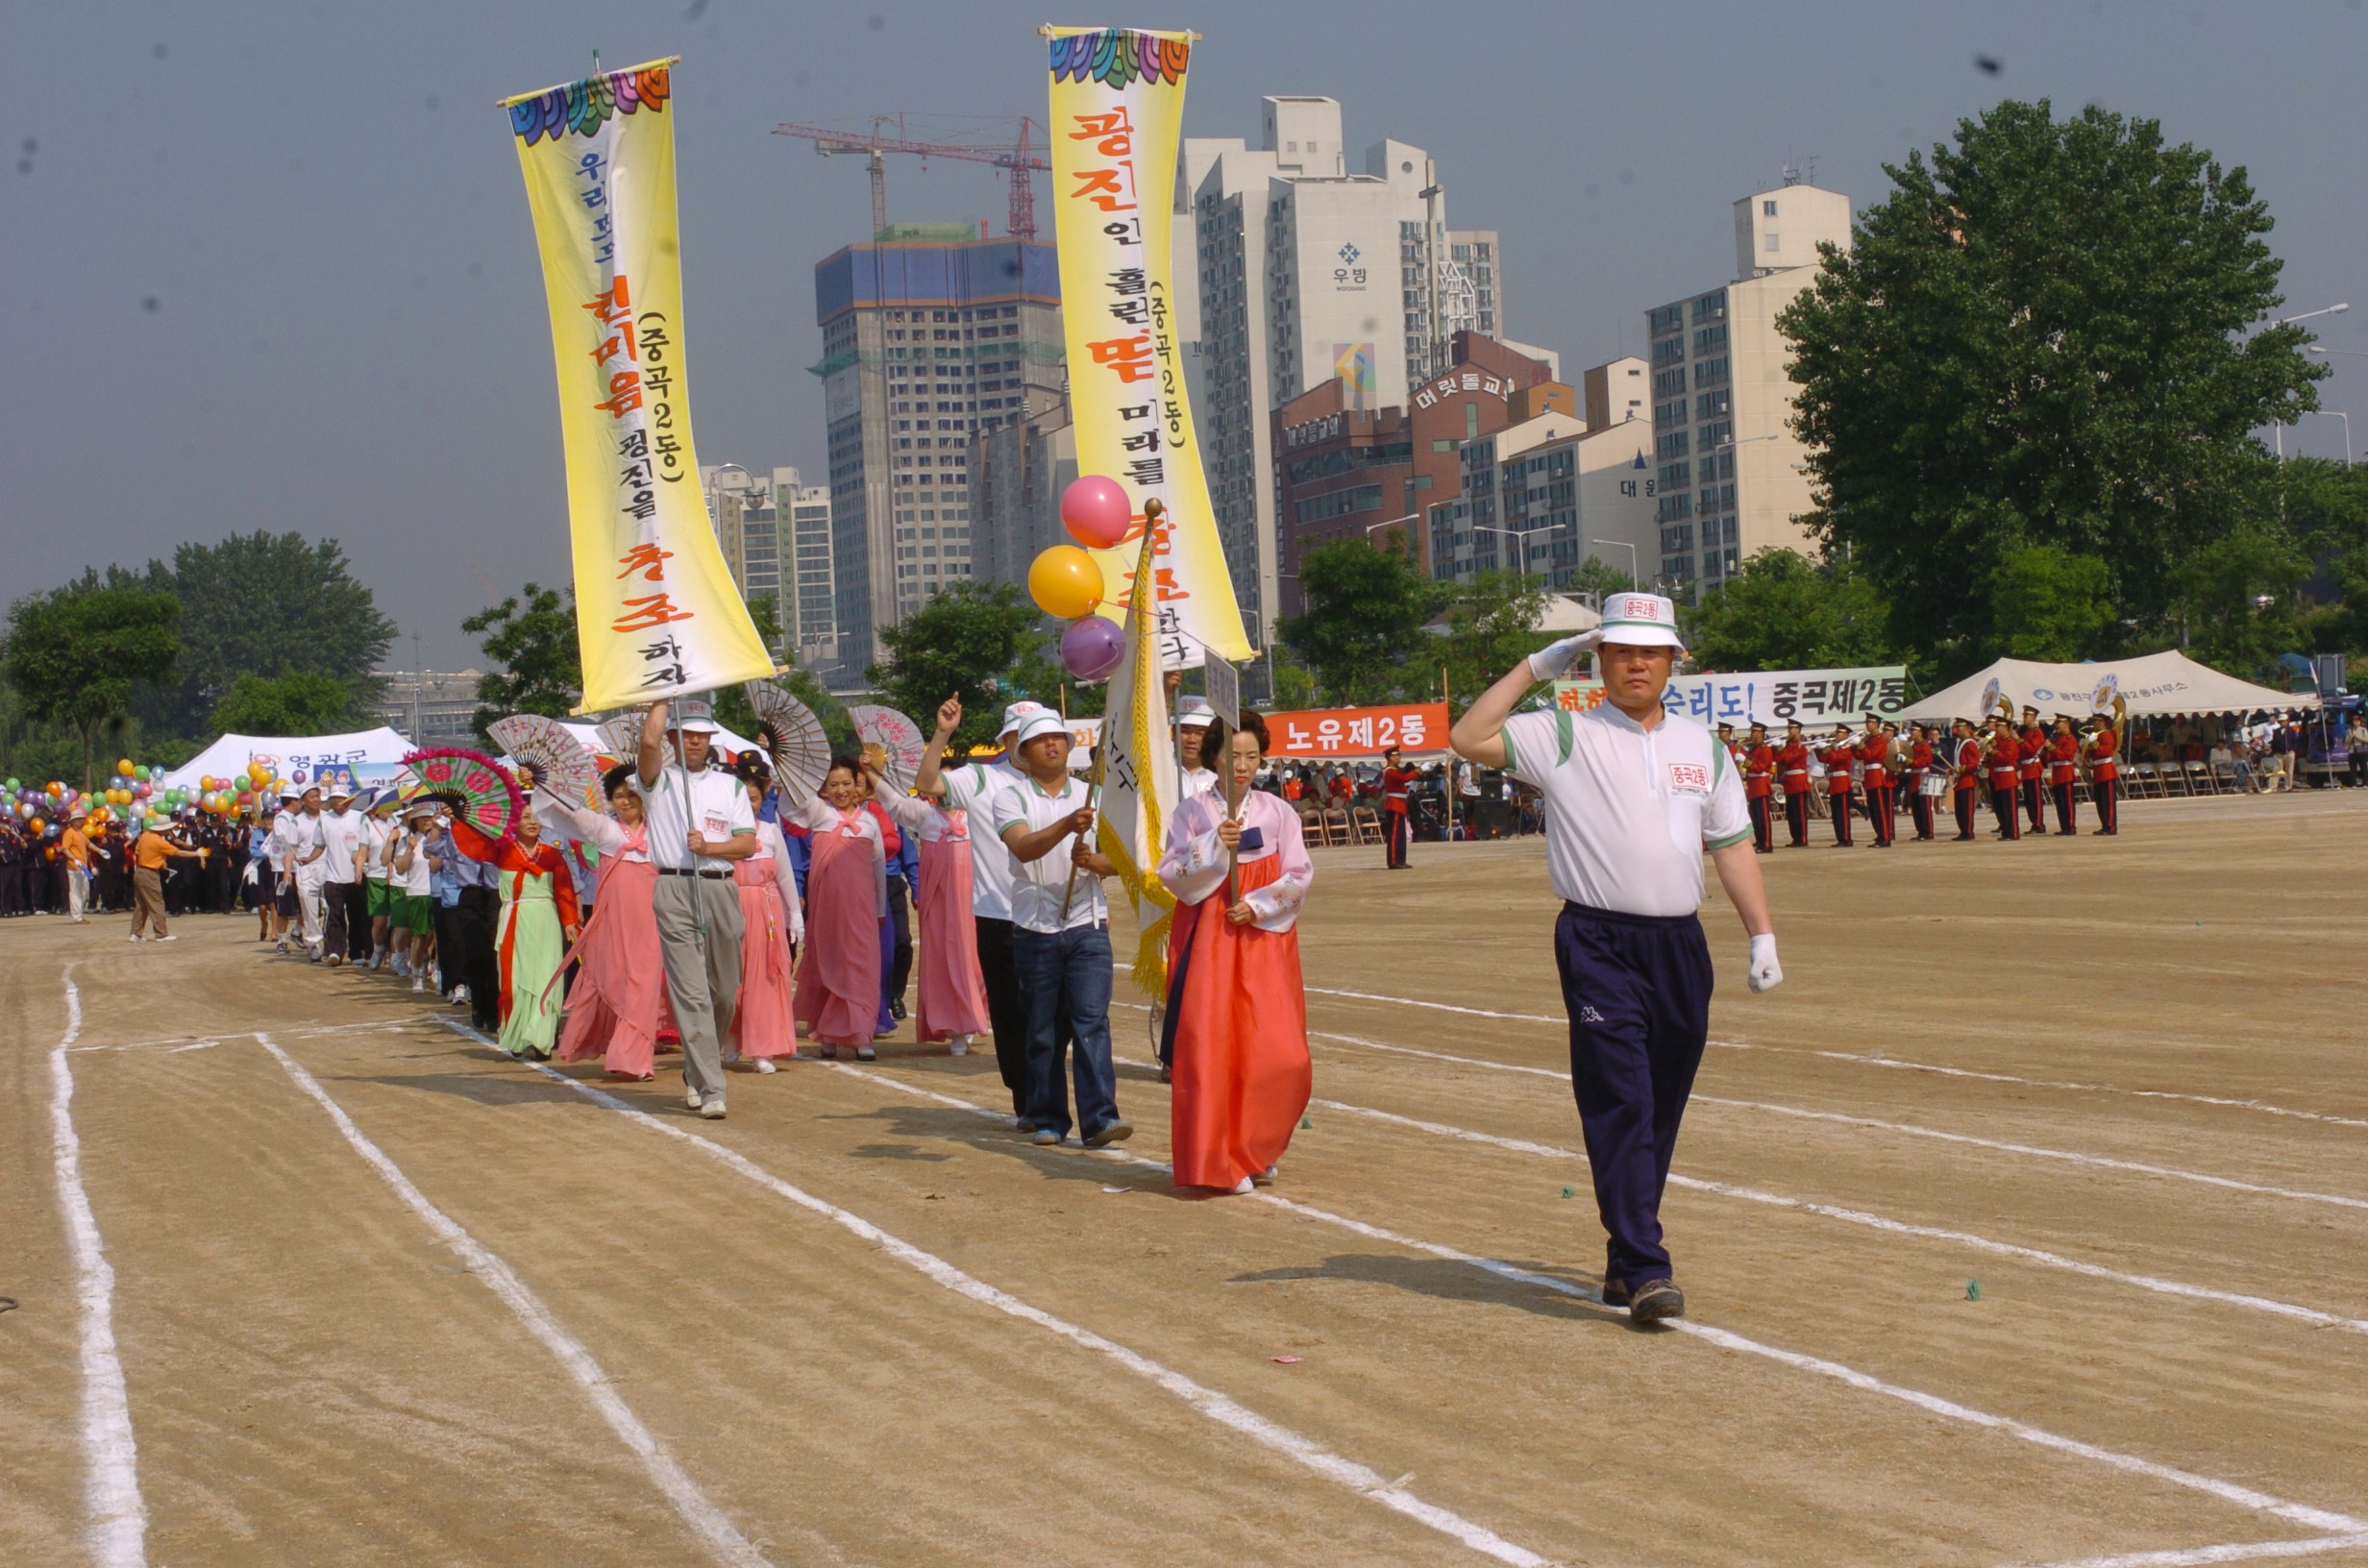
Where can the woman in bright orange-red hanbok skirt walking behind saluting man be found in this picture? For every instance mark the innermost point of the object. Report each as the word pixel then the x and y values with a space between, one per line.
pixel 1237 1010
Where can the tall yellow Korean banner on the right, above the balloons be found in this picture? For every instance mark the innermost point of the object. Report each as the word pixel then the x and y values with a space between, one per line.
pixel 1117 110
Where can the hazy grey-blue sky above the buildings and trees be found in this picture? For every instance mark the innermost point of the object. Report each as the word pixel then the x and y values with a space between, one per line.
pixel 269 266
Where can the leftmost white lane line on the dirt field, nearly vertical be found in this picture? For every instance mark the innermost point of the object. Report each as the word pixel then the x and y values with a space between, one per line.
pixel 112 1484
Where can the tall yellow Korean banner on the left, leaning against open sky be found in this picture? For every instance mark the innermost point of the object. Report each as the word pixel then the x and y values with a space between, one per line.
pixel 655 603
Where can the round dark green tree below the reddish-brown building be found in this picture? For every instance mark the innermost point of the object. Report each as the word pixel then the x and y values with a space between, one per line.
pixel 1363 631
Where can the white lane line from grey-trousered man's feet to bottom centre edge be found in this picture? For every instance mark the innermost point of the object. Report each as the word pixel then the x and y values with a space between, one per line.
pixel 1206 1401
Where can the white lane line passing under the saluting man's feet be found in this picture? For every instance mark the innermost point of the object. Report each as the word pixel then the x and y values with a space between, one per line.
pixel 2227 1491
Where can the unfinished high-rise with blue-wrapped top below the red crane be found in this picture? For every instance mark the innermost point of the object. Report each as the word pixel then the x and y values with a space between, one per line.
pixel 929 340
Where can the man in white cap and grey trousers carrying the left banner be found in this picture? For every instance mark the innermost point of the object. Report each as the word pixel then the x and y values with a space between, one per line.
pixel 700 823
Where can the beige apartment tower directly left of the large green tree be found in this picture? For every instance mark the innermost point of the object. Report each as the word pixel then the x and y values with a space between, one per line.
pixel 1730 470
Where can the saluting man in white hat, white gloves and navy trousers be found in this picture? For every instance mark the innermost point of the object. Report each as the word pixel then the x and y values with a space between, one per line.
pixel 1635 795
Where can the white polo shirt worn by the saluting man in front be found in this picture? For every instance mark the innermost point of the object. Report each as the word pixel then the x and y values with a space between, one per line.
pixel 1628 809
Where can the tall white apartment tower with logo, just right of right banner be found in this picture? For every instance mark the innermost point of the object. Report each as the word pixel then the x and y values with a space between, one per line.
pixel 1308 274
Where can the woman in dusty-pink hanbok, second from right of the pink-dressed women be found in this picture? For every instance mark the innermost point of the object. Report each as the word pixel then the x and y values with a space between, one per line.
pixel 847 897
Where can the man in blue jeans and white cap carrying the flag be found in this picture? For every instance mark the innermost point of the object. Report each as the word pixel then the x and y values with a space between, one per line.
pixel 1060 937
